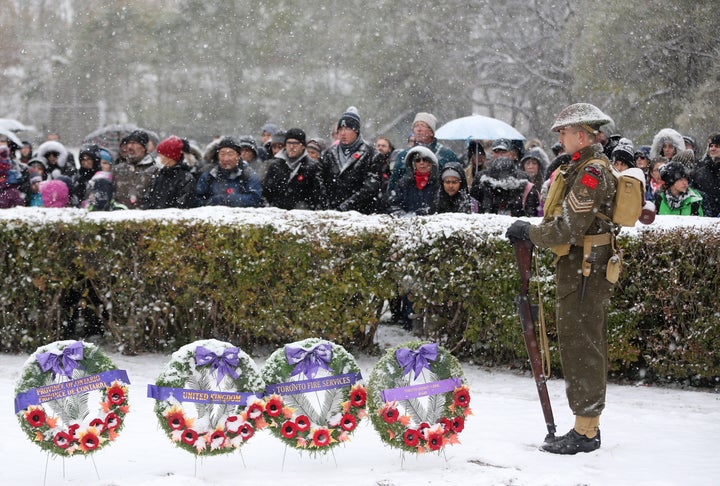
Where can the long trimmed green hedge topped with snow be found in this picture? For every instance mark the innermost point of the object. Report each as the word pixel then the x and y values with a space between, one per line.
pixel 161 279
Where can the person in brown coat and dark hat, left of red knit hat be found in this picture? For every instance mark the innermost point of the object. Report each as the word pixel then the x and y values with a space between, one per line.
pixel 133 173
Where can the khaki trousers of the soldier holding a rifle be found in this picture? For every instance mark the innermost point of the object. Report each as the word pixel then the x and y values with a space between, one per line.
pixel 582 330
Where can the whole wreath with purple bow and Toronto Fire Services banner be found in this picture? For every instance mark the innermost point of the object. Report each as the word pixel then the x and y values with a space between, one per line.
pixel 314 396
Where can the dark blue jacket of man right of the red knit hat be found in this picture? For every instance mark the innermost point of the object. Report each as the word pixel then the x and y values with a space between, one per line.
pixel 238 188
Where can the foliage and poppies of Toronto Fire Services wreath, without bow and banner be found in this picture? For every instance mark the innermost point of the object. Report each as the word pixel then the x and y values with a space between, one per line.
pixel 315 421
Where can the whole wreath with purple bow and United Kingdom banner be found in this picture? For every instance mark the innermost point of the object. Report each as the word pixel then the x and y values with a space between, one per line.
pixel 208 397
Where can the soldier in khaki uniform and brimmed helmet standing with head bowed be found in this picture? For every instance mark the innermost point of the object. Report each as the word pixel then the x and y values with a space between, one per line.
pixel 577 226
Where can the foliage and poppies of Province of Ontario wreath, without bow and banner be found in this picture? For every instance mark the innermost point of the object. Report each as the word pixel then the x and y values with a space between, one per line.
pixel 72 424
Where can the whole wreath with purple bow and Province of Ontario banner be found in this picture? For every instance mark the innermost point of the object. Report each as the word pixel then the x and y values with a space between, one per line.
pixel 58 384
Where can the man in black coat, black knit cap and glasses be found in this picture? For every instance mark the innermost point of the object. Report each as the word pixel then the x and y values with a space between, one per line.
pixel 293 179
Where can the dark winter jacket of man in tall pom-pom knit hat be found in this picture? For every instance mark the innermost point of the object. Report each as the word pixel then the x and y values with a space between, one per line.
pixel 355 187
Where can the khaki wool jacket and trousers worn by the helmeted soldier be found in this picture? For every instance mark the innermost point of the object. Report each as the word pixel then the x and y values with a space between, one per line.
pixel 582 189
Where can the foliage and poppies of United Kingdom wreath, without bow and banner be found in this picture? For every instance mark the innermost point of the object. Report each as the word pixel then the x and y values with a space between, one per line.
pixel 206 429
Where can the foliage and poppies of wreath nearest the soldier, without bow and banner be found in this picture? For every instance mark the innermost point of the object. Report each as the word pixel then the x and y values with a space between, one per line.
pixel 422 424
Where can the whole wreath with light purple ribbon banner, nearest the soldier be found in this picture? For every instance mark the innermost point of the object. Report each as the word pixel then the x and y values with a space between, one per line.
pixel 418 397
